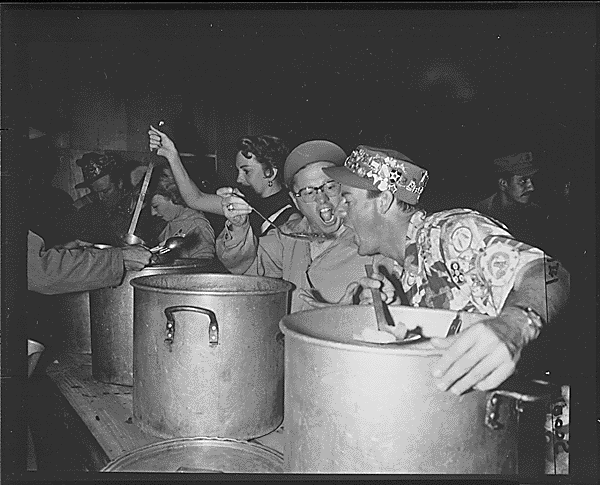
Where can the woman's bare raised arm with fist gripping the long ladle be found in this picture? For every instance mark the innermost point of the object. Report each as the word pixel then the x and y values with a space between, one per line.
pixel 192 195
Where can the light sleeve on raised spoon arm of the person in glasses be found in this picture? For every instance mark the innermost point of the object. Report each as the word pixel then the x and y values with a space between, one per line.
pixel 241 253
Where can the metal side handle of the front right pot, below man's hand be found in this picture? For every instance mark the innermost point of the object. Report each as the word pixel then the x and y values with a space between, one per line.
pixel 520 390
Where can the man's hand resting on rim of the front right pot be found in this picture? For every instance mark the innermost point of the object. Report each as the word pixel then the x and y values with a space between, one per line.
pixel 476 358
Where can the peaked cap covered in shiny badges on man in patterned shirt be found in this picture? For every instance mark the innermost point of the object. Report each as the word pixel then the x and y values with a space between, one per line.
pixel 382 169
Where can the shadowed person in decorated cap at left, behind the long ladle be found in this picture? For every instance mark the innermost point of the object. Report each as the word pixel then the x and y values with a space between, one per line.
pixel 104 215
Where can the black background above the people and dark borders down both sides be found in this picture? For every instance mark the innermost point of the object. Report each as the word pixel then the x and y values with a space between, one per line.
pixel 452 87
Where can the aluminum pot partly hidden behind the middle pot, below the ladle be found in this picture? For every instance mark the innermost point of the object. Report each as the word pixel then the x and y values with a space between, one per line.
pixel 111 316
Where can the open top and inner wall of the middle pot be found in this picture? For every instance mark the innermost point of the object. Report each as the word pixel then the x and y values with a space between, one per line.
pixel 208 283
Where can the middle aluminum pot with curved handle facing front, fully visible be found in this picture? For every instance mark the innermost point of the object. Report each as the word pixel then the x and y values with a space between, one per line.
pixel 208 355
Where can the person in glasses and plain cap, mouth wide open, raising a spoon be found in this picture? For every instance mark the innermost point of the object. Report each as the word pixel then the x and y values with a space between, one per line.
pixel 321 269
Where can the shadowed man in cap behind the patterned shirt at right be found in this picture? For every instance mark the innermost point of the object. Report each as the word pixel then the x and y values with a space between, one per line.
pixel 511 204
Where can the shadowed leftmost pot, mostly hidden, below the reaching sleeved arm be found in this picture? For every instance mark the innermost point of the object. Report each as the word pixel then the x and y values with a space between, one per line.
pixel 72 311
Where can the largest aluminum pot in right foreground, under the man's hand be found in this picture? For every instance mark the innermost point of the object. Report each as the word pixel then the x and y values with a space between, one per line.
pixel 357 407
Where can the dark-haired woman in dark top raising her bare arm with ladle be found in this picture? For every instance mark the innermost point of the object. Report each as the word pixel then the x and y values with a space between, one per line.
pixel 259 162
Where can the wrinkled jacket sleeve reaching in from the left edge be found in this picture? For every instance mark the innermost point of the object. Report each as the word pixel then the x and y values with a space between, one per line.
pixel 56 271
